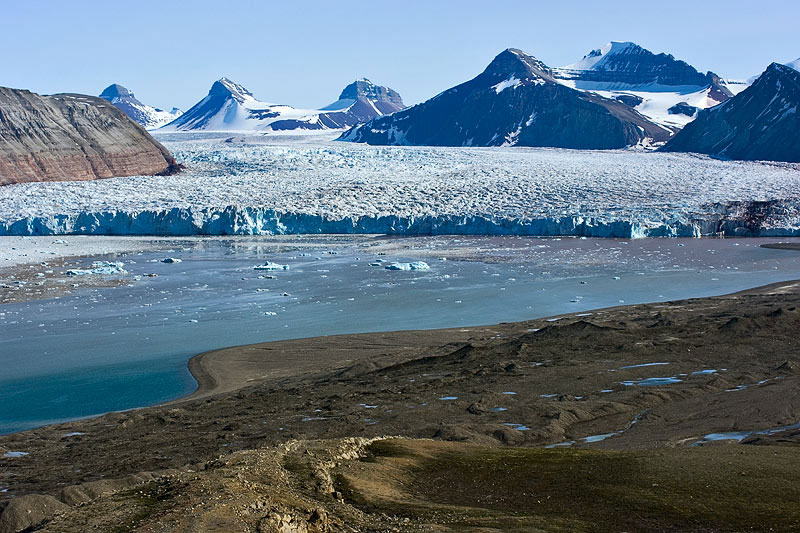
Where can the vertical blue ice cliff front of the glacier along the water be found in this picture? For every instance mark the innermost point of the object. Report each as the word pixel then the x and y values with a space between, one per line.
pixel 734 219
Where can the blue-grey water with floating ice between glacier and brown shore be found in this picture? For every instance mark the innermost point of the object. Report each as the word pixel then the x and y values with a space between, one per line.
pixel 117 348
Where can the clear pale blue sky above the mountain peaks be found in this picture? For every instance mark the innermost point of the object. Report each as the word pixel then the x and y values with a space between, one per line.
pixel 303 52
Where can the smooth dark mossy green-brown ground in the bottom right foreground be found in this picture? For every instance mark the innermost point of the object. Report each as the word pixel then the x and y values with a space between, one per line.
pixel 460 486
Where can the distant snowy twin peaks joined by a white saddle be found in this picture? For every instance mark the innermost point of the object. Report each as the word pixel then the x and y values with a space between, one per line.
pixel 229 106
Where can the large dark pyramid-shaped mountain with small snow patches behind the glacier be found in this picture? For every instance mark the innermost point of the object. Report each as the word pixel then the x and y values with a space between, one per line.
pixel 515 101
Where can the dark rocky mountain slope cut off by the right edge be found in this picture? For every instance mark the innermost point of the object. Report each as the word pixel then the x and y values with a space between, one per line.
pixel 760 123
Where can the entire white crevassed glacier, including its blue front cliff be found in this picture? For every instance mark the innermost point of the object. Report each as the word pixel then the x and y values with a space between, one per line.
pixel 272 184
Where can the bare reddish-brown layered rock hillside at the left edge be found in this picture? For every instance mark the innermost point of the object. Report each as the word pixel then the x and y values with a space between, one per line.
pixel 72 137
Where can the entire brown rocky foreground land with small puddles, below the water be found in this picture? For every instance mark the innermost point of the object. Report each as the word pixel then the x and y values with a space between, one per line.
pixel 282 435
